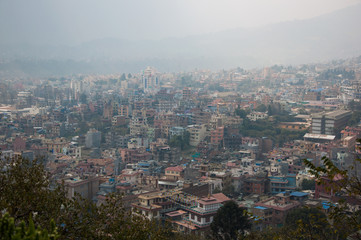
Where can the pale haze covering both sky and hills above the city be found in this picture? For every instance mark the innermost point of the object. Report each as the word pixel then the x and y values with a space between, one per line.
pixel 177 35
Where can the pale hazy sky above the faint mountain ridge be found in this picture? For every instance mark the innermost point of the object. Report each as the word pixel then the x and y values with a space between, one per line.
pixel 76 21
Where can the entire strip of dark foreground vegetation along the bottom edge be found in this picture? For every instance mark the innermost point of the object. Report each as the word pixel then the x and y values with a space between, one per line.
pixel 26 194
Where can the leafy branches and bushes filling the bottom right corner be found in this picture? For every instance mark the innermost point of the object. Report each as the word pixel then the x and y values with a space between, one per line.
pixel 341 222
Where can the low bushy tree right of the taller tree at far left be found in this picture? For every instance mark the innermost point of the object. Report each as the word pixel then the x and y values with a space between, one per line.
pixel 83 218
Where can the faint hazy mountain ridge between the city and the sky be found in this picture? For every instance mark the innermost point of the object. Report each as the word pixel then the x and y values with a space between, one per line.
pixel 331 36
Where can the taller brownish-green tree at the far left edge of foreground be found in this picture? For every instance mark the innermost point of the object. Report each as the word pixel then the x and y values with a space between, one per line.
pixel 25 190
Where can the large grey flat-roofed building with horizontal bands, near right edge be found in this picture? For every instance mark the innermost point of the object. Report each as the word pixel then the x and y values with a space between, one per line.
pixel 330 123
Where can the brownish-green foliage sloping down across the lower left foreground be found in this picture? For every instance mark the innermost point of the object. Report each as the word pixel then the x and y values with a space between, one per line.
pixel 25 191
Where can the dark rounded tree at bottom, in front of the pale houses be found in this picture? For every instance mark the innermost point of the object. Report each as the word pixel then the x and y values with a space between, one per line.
pixel 230 222
